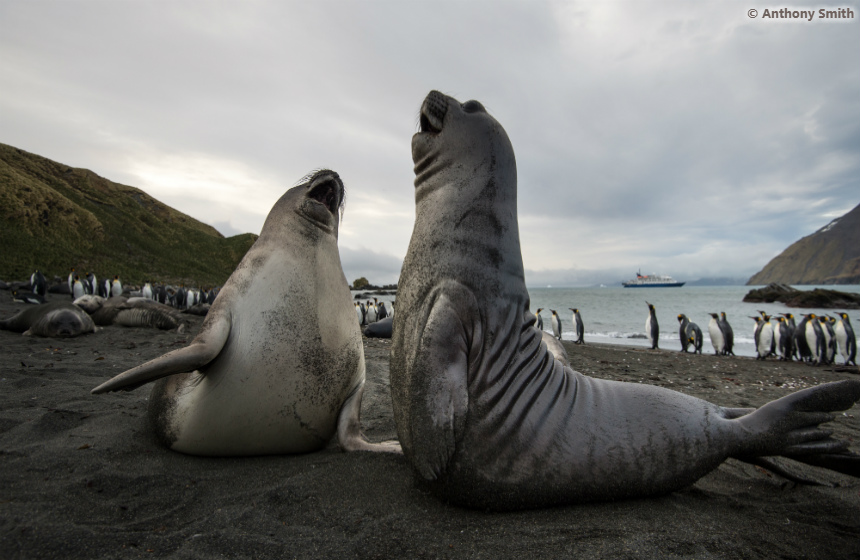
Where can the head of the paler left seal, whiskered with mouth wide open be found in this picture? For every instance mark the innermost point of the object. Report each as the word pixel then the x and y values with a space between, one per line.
pixel 317 201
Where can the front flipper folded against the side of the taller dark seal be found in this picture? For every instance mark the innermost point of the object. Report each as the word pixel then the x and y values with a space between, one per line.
pixel 439 381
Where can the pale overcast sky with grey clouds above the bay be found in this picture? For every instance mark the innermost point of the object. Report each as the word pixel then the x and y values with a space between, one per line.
pixel 683 138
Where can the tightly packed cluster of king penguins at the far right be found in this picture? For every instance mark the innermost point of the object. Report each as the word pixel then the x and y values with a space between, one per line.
pixel 815 339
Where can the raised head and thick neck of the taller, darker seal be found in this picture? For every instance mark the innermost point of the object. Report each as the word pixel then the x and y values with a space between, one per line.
pixel 465 196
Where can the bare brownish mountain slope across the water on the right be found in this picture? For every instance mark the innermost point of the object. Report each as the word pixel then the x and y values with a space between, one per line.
pixel 831 255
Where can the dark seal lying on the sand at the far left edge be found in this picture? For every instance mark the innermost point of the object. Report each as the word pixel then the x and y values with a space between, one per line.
pixel 55 319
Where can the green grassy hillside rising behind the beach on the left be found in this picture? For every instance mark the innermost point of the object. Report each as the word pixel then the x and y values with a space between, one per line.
pixel 54 217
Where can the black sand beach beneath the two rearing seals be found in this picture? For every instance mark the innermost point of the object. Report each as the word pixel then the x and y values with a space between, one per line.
pixel 81 476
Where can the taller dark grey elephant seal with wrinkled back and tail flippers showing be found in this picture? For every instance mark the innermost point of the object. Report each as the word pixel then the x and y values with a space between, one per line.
pixel 486 416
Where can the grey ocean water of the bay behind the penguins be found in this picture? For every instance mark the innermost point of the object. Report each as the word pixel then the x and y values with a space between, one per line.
pixel 614 315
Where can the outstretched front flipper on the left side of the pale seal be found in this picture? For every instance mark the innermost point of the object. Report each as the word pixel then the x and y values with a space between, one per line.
pixel 200 352
